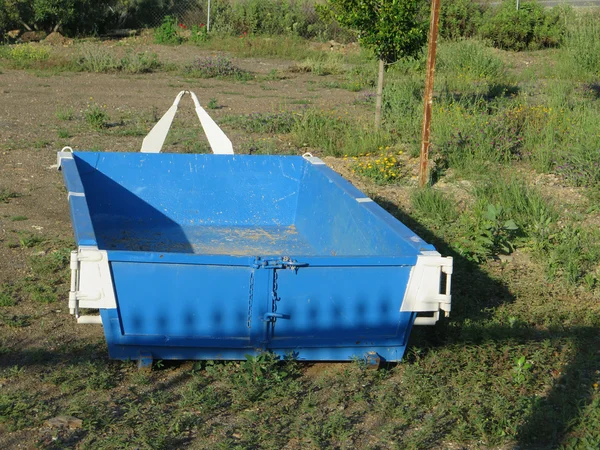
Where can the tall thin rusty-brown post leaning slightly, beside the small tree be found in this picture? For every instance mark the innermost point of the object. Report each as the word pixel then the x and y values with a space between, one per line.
pixel 433 28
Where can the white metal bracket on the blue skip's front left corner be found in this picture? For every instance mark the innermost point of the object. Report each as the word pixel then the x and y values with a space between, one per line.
pixel 91 283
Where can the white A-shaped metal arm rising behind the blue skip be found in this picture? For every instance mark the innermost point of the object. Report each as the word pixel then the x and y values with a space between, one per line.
pixel 217 139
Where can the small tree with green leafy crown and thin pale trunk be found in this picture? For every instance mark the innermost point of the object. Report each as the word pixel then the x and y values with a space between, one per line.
pixel 392 29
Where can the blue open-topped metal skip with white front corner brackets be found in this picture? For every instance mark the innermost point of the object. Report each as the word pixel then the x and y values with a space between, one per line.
pixel 216 257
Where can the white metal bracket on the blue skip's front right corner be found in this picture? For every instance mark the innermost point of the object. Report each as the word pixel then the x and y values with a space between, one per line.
pixel 428 289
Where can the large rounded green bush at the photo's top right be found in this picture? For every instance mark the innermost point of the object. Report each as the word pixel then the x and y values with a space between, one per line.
pixel 528 28
